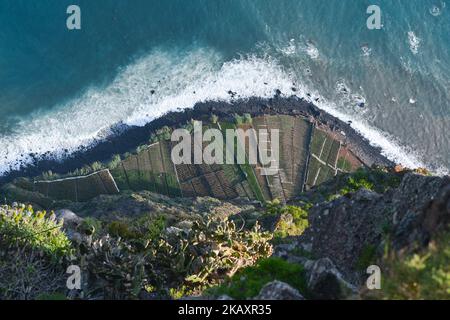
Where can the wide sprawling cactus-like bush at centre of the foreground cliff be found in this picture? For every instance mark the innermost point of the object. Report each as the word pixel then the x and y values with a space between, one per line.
pixel 142 255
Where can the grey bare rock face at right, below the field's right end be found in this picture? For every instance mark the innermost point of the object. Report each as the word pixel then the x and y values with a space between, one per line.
pixel 359 225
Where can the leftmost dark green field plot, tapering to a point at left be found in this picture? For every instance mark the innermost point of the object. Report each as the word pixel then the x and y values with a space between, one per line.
pixel 78 188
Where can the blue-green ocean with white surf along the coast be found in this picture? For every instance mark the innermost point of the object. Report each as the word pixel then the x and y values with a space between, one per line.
pixel 134 60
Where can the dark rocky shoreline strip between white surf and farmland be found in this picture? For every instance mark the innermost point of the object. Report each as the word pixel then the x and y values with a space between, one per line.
pixel 125 139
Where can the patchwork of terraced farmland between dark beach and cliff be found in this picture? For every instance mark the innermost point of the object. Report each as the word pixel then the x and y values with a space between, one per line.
pixel 309 156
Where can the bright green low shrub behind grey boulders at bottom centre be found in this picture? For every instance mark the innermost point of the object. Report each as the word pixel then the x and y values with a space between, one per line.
pixel 248 282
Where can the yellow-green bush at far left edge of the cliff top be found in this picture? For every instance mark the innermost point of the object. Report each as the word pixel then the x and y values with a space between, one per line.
pixel 33 249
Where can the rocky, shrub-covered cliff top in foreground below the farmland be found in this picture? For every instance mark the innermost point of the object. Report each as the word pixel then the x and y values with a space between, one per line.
pixel 140 245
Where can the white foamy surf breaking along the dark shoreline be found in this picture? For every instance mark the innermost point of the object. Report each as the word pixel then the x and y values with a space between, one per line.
pixel 154 85
